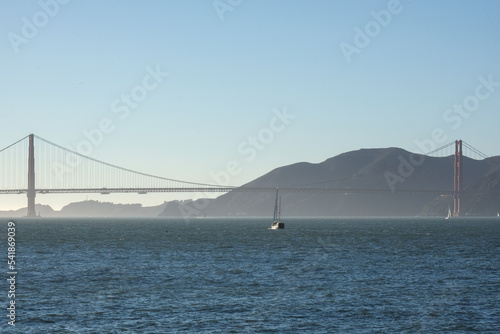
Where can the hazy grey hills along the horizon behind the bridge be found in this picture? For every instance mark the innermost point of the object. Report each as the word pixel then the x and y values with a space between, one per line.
pixel 370 179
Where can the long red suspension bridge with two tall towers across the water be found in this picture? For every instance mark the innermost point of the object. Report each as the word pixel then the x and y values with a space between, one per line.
pixel 54 169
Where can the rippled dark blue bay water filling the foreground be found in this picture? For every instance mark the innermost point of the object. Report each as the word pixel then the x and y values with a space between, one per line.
pixel 235 275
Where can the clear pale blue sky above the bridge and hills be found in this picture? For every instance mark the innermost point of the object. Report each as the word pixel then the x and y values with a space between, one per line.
pixel 230 65
